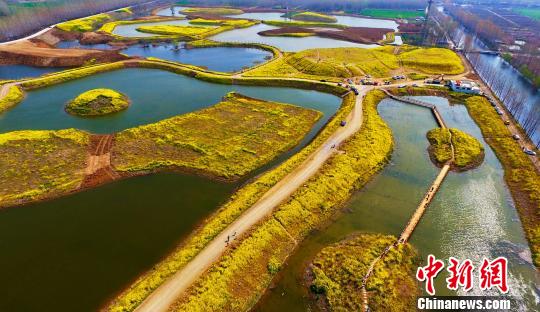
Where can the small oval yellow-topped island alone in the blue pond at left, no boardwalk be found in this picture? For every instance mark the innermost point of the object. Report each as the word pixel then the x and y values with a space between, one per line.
pixel 98 102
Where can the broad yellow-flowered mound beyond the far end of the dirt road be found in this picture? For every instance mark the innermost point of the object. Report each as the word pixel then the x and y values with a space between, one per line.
pixel 350 62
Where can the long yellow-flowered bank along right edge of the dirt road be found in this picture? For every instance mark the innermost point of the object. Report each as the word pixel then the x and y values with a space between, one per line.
pixel 237 280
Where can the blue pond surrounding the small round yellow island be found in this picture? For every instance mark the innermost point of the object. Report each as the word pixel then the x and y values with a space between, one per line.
pixel 155 95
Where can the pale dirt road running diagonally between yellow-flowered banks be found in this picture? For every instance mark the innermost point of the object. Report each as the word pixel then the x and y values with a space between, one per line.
pixel 165 295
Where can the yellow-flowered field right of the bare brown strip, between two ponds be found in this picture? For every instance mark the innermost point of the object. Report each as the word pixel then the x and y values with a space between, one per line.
pixel 227 140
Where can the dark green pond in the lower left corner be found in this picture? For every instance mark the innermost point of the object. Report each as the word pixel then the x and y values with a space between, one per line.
pixel 74 253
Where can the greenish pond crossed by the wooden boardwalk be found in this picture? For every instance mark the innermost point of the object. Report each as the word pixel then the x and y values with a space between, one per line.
pixel 472 215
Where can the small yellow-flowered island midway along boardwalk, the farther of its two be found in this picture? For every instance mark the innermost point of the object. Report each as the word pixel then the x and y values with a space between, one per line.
pixel 468 151
